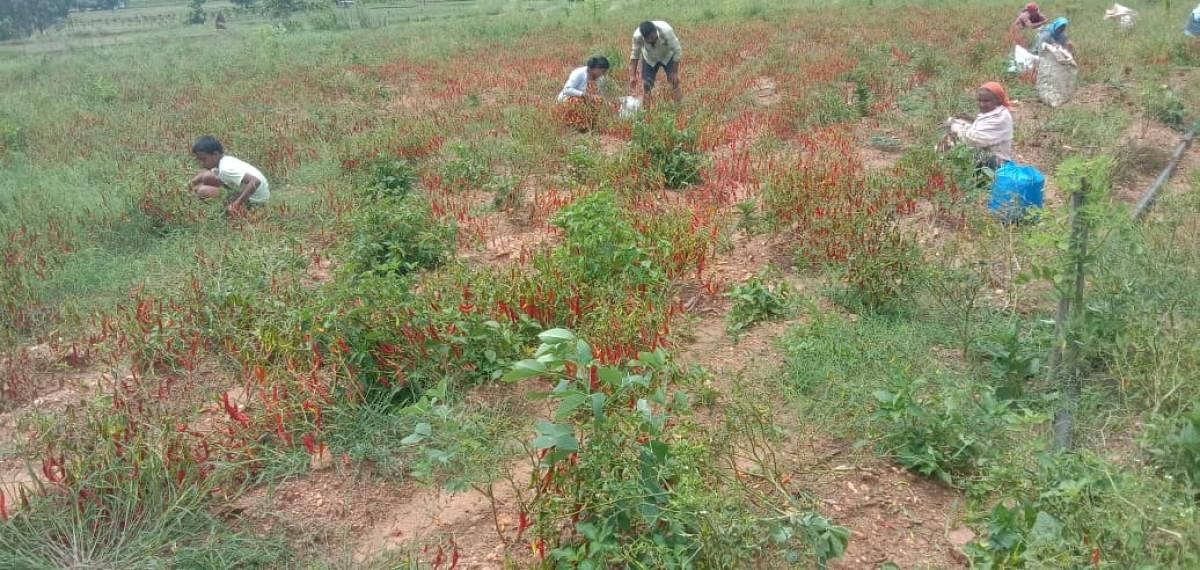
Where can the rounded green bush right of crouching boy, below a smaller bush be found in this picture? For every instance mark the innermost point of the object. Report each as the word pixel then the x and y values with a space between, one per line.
pixel 398 237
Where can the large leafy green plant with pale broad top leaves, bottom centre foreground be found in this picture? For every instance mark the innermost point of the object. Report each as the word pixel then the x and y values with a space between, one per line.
pixel 619 484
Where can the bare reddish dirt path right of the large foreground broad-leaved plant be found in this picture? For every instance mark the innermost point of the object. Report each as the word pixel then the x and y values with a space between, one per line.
pixel 893 515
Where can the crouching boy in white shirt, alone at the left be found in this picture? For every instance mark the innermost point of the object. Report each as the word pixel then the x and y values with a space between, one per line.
pixel 247 183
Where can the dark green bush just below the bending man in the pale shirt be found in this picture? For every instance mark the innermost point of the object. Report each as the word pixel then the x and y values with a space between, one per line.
pixel 671 152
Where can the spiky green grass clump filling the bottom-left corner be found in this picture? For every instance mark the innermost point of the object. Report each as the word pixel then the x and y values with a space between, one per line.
pixel 131 515
